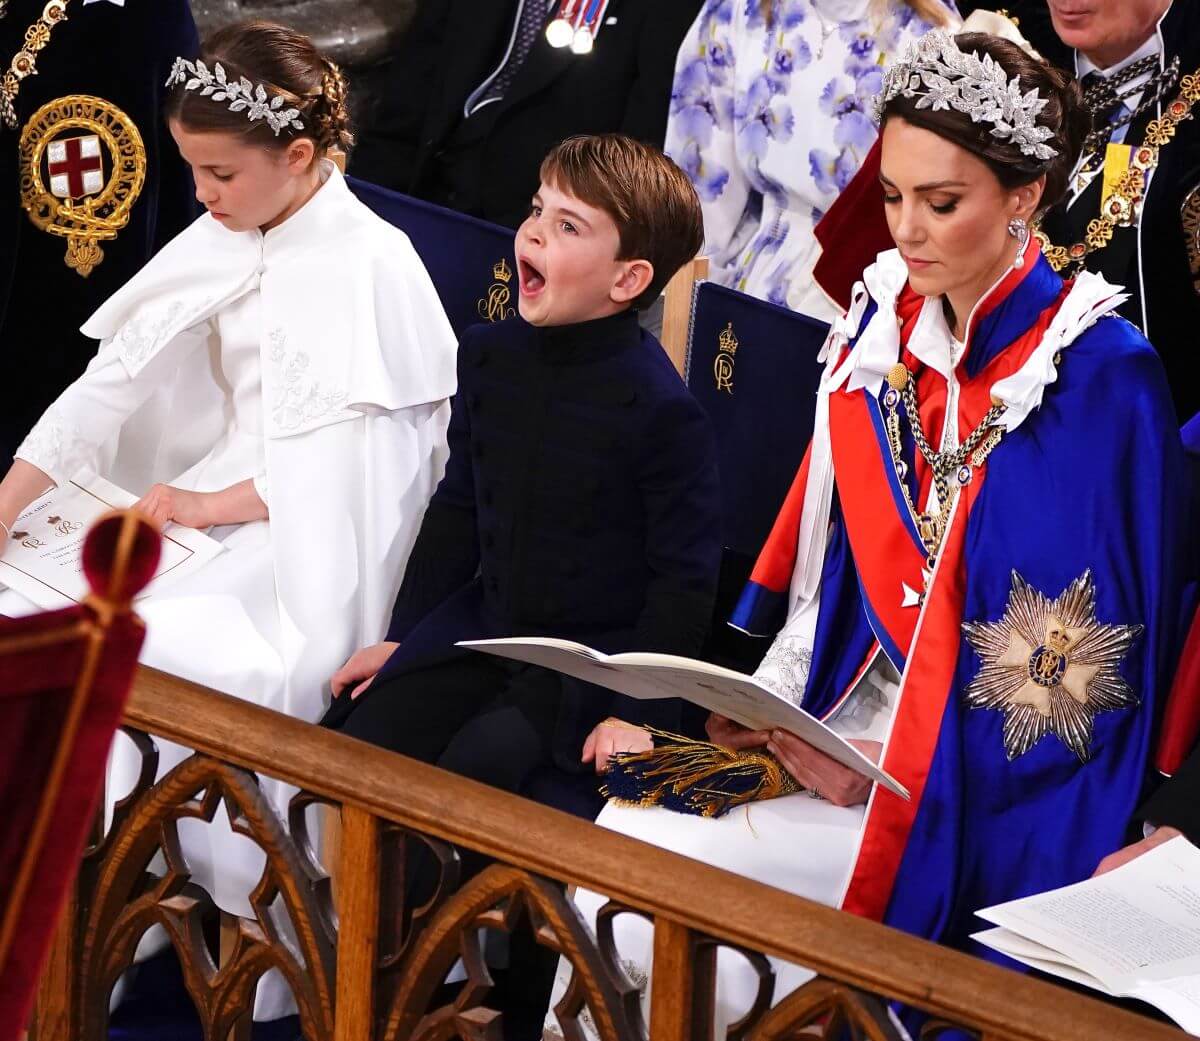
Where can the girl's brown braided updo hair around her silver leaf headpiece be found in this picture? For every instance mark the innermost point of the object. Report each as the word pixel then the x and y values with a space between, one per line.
pixel 287 65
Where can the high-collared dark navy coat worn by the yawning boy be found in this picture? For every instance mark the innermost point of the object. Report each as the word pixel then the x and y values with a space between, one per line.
pixel 580 501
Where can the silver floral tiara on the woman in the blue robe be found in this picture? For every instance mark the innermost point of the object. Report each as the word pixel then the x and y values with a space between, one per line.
pixel 941 77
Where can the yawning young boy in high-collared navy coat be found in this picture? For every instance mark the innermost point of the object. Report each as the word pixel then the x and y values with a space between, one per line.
pixel 580 500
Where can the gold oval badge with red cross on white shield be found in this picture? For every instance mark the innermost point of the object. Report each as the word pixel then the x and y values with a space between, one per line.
pixel 83 166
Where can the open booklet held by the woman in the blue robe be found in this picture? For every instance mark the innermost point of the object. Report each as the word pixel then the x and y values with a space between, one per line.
pixel 651 677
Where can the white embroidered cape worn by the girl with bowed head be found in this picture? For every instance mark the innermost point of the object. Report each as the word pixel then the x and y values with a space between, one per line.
pixel 358 364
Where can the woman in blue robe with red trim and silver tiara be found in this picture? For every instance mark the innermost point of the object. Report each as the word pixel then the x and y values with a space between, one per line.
pixel 979 575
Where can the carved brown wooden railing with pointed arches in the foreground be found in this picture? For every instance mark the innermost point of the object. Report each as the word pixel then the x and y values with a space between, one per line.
pixel 357 978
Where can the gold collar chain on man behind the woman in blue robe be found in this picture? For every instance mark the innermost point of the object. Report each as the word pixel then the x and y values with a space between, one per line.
pixel 1123 207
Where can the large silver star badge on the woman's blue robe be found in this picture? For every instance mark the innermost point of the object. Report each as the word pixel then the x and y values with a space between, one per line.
pixel 1051 666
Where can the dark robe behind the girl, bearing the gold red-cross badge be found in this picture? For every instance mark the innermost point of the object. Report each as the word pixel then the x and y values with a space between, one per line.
pixel 121 56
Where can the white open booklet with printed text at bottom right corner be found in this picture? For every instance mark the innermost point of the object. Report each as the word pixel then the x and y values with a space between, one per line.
pixel 1133 932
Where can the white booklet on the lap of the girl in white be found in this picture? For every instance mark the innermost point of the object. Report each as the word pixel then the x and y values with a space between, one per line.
pixel 44 559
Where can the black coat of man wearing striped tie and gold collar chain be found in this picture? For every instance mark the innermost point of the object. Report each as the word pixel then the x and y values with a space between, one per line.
pixel 1166 263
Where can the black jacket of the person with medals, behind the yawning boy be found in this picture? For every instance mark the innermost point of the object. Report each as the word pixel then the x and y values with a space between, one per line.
pixel 625 85
